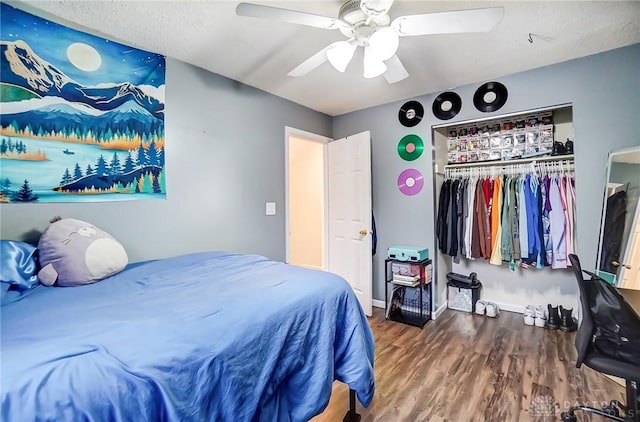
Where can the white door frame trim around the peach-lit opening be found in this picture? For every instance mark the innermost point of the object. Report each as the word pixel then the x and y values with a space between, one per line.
pixel 289 132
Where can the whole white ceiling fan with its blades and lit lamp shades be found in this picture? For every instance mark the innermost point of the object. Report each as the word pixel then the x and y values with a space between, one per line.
pixel 366 24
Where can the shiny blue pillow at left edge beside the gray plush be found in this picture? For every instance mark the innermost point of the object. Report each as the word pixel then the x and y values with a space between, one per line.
pixel 18 264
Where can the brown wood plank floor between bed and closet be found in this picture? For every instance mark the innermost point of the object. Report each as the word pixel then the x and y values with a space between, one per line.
pixel 465 367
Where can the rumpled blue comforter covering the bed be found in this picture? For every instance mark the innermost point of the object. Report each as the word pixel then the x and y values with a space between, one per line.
pixel 202 337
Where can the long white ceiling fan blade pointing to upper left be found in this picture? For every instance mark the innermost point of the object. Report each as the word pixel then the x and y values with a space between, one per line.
pixel 290 16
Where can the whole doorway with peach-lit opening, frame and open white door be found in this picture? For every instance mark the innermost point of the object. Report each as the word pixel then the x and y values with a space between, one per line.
pixel 328 207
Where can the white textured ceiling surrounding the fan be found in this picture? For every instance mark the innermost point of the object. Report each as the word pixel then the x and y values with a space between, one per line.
pixel 260 53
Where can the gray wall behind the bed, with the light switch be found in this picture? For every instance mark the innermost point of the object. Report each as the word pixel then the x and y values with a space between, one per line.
pixel 225 159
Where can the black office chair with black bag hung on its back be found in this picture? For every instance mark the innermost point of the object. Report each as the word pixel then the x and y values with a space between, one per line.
pixel 603 308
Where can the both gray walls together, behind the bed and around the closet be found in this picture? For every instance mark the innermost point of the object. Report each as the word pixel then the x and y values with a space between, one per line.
pixel 225 159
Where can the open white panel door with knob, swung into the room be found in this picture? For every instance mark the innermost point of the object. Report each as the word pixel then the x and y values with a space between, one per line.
pixel 350 214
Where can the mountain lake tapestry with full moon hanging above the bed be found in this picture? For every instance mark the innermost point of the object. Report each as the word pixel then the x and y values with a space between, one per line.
pixel 81 117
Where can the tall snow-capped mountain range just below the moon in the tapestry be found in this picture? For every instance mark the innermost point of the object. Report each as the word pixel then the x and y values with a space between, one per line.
pixel 22 67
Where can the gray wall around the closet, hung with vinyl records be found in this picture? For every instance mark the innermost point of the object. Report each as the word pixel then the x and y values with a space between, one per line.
pixel 604 90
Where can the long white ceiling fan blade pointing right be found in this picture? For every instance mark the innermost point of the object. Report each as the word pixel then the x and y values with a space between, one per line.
pixel 473 20
